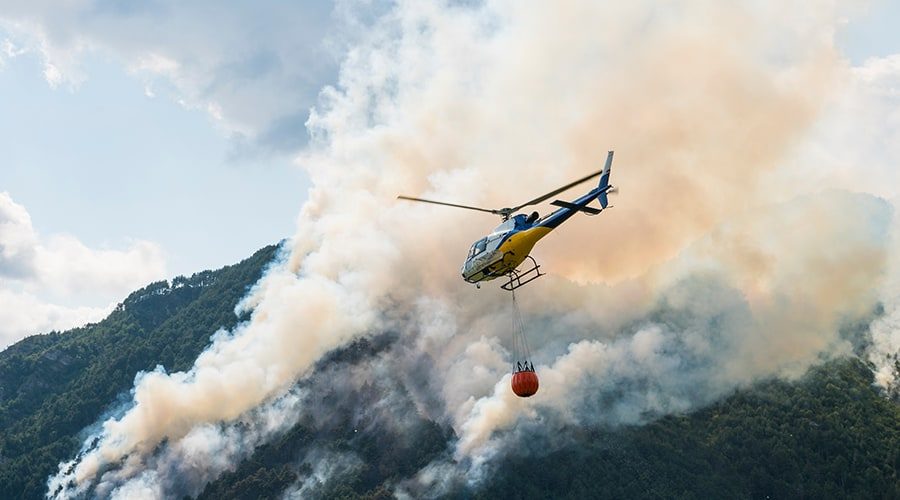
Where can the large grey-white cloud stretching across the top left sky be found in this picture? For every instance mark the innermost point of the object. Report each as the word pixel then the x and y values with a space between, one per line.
pixel 256 69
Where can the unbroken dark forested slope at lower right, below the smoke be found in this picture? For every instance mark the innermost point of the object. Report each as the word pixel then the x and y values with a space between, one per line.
pixel 832 435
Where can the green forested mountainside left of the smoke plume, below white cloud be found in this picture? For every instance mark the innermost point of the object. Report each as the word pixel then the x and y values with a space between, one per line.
pixel 52 386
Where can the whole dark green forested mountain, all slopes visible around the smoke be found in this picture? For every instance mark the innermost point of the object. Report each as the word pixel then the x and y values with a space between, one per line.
pixel 830 434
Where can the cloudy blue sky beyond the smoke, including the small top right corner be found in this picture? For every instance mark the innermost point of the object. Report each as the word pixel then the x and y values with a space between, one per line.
pixel 144 141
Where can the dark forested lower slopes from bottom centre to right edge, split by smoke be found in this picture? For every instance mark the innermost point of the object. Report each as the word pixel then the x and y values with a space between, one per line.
pixel 831 435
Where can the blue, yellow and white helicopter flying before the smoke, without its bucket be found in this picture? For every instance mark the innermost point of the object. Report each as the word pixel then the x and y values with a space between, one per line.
pixel 501 252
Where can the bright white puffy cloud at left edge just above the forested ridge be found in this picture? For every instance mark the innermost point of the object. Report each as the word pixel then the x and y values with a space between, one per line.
pixel 41 277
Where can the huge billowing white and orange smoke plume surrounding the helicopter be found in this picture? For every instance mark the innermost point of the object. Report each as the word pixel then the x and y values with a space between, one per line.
pixel 700 280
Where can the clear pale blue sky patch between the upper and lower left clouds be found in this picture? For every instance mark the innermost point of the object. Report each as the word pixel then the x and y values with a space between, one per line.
pixel 107 163
